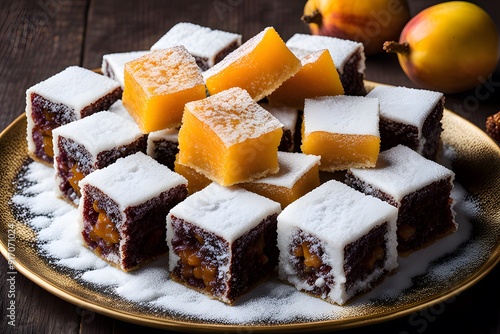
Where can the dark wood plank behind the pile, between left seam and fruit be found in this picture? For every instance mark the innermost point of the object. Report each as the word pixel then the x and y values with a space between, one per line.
pixel 118 26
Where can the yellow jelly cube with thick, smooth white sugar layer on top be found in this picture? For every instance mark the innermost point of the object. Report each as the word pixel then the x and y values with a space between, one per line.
pixel 343 130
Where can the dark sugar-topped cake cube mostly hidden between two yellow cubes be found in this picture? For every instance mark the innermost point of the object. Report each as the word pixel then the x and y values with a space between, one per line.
pixel 289 117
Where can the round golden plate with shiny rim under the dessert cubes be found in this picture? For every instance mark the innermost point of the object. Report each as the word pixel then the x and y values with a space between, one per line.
pixel 475 160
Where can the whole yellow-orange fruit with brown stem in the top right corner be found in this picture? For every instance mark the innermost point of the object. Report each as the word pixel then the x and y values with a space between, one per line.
pixel 450 47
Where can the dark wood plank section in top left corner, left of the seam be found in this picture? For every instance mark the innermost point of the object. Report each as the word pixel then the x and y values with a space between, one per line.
pixel 37 39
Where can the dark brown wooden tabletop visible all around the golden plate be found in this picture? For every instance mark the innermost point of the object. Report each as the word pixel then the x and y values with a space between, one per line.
pixel 40 38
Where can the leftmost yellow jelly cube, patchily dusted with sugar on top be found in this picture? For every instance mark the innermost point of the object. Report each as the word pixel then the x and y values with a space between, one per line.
pixel 158 85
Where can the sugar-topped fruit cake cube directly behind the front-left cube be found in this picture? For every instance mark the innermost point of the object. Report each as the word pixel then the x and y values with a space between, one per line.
pixel 92 143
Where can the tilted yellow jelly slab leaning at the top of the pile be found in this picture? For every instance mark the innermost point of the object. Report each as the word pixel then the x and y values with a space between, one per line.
pixel 259 66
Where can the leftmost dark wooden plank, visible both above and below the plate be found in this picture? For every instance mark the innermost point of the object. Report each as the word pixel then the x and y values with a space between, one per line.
pixel 37 39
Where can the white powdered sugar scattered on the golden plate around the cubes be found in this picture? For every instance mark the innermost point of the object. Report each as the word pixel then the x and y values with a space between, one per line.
pixel 59 241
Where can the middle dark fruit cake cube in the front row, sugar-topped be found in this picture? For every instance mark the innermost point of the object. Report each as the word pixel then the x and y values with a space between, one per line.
pixel 222 241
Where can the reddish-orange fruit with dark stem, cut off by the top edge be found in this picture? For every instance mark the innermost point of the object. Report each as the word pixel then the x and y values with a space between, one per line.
pixel 371 22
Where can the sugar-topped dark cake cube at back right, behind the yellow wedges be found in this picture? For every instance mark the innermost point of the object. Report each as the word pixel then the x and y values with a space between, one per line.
pixel 348 57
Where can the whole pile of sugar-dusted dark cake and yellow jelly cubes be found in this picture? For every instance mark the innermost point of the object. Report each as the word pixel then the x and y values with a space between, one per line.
pixel 211 150
